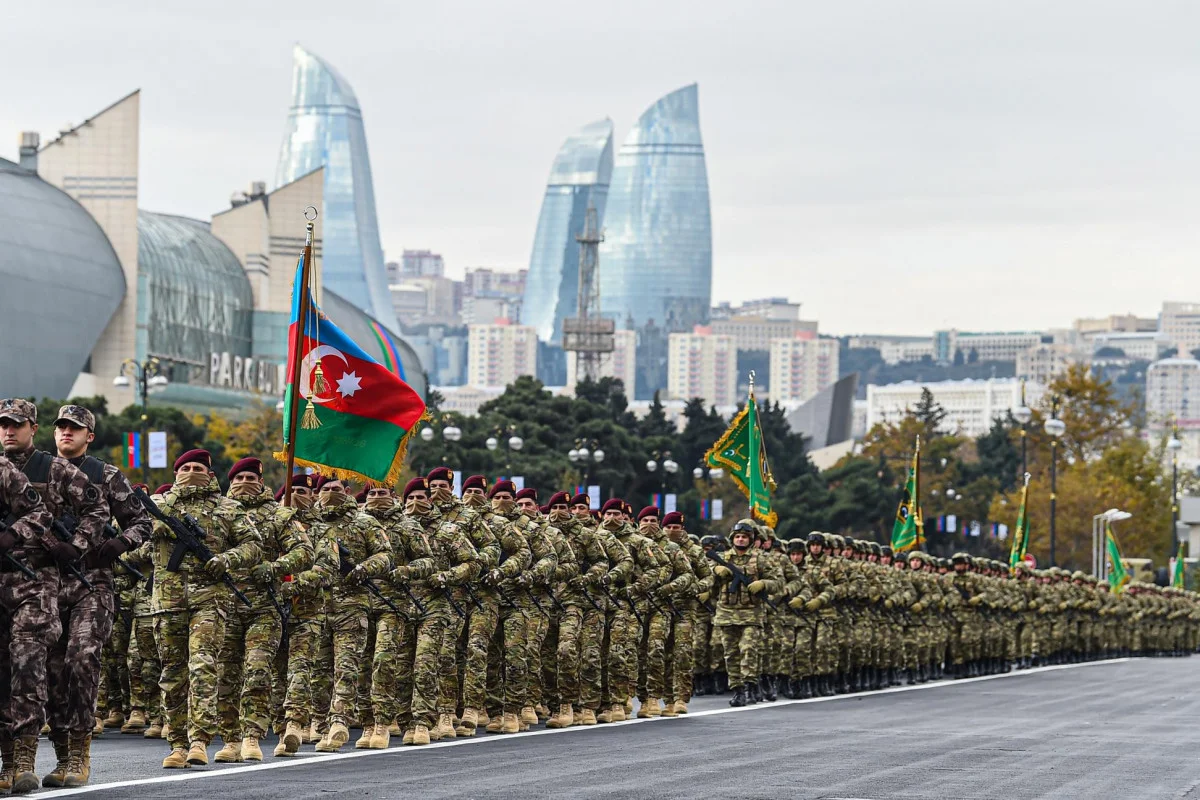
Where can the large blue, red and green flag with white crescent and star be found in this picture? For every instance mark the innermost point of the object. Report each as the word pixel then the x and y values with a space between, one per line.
pixel 364 412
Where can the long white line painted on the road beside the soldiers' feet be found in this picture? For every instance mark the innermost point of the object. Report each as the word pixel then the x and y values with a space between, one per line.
pixel 311 760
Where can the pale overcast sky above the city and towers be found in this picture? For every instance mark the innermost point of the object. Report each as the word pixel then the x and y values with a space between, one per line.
pixel 895 167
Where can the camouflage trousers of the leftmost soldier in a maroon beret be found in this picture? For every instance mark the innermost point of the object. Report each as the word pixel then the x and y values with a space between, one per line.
pixel 189 645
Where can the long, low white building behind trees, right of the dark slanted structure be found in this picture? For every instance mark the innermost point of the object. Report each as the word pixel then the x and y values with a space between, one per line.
pixel 971 406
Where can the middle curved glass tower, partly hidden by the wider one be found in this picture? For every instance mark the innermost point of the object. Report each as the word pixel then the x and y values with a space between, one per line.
pixel 579 179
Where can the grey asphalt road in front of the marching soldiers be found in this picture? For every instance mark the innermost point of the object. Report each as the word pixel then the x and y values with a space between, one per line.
pixel 1113 730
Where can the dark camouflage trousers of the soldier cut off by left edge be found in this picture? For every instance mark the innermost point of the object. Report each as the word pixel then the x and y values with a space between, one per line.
pixel 29 625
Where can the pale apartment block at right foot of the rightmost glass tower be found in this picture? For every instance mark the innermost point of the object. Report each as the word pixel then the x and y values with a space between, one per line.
pixel 704 365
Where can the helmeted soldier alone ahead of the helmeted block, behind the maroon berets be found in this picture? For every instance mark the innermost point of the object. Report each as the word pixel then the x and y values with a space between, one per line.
pixel 740 607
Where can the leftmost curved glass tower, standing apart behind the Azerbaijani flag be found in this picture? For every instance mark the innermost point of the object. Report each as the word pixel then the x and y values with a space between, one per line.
pixel 325 129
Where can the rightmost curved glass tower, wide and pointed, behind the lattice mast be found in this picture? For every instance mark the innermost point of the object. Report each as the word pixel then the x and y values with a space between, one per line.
pixel 657 260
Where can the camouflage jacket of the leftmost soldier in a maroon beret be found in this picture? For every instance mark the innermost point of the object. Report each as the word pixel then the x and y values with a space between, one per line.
pixel 227 536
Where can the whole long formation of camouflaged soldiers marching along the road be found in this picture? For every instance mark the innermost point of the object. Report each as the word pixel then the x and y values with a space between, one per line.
pixel 195 615
